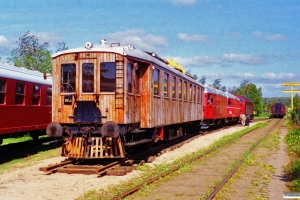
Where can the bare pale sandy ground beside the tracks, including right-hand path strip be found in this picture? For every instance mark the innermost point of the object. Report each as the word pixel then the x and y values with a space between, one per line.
pixel 30 183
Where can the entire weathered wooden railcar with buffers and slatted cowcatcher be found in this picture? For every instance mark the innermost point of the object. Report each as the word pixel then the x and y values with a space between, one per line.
pixel 107 98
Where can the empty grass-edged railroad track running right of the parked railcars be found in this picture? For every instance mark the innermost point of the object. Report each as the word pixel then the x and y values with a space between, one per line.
pixel 210 173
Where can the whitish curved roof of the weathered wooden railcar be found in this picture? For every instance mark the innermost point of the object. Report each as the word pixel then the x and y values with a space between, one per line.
pixel 128 51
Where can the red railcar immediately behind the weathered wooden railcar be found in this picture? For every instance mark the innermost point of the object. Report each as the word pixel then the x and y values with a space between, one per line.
pixel 214 107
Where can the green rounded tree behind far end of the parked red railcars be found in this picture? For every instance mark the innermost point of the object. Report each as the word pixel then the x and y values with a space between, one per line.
pixel 250 91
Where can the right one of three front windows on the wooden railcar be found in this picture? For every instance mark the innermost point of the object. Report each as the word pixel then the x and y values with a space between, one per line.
pixel 108 77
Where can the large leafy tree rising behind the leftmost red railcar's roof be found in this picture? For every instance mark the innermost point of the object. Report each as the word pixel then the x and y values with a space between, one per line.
pixel 31 55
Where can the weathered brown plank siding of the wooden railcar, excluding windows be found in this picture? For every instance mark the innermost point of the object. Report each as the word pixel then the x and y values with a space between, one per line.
pixel 143 108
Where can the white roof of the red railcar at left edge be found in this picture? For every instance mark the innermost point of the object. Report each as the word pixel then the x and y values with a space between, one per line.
pixel 19 73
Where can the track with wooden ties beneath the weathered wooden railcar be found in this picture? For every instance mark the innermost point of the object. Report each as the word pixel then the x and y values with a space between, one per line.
pixel 123 166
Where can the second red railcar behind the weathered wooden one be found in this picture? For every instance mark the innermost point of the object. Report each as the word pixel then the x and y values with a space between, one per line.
pixel 233 108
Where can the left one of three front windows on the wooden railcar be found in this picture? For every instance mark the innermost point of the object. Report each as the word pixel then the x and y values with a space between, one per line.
pixel 68 78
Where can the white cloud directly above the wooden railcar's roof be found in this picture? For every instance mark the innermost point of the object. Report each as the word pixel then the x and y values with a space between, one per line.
pixel 139 39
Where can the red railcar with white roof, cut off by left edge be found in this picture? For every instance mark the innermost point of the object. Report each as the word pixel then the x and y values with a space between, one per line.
pixel 25 101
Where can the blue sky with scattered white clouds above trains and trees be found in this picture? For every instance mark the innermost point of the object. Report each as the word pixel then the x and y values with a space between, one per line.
pixel 233 40
